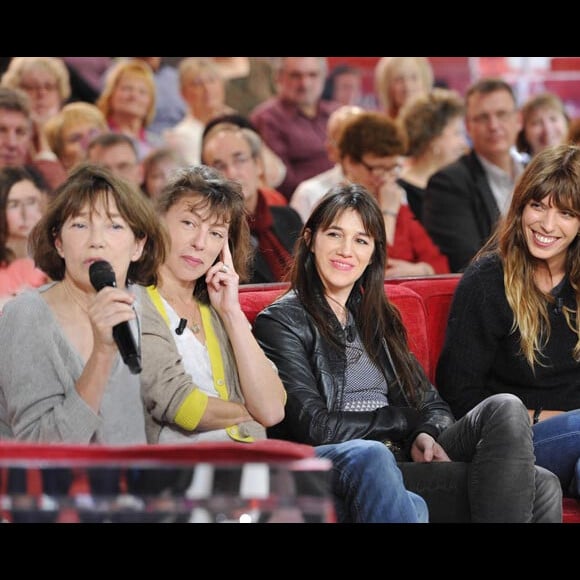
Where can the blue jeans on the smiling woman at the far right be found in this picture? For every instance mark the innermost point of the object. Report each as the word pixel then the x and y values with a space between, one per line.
pixel 557 448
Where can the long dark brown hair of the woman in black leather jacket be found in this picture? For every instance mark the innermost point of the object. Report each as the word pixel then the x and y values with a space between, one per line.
pixel 378 321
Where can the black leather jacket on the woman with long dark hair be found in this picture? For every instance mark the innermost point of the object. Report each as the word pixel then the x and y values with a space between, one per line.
pixel 313 374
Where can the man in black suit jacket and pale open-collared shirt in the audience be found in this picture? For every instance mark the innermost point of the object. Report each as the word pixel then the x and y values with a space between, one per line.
pixel 464 200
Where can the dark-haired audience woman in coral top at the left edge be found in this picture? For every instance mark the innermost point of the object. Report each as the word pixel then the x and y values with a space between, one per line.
pixel 21 205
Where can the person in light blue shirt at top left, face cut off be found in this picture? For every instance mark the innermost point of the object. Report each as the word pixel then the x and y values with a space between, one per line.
pixel 170 108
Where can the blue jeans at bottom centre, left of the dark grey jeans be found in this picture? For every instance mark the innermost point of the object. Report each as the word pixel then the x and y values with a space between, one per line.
pixel 368 486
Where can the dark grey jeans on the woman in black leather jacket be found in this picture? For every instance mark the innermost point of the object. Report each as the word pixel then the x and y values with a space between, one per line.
pixel 492 477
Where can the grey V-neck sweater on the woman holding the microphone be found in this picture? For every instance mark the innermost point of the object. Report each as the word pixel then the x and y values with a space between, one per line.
pixel 38 372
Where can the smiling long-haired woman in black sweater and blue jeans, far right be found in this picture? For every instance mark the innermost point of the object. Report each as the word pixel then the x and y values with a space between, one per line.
pixel 513 325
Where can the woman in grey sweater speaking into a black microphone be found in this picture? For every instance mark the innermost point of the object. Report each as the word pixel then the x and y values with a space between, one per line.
pixel 69 383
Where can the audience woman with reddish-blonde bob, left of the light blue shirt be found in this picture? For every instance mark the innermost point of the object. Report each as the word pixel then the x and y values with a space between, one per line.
pixel 128 102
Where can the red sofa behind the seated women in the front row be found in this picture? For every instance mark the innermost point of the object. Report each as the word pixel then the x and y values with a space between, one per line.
pixel 424 306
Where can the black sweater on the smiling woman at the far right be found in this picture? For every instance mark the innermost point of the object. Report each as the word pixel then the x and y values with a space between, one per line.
pixel 481 357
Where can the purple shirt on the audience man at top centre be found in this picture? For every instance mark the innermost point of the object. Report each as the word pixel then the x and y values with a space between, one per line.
pixel 297 139
